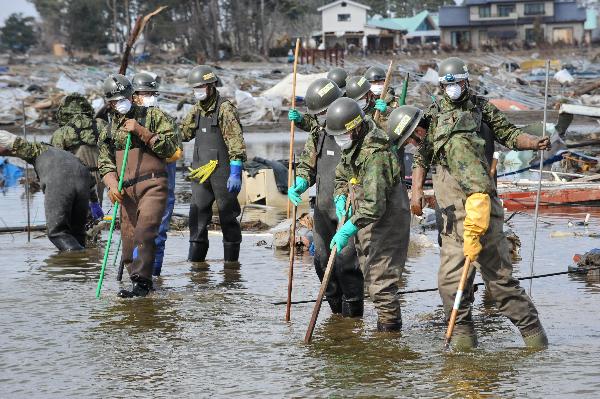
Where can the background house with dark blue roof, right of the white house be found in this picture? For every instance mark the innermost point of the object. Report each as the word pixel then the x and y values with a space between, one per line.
pixel 478 23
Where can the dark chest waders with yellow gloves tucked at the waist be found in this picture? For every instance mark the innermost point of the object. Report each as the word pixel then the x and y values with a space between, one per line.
pixel 210 146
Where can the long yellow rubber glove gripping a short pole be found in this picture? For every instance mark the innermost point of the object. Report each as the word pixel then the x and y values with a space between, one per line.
pixel 477 221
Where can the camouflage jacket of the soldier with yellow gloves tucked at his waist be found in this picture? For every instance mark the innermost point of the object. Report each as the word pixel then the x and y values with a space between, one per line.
pixel 229 123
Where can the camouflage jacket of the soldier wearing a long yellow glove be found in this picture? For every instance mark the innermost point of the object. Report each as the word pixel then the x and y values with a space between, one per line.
pixel 453 140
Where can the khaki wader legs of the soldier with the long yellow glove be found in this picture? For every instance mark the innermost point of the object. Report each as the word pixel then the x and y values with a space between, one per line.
pixel 494 262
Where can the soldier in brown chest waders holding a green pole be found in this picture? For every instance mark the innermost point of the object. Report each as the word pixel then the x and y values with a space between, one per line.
pixel 144 194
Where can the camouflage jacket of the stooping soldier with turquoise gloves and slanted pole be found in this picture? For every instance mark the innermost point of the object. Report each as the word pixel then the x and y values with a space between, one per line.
pixel 377 171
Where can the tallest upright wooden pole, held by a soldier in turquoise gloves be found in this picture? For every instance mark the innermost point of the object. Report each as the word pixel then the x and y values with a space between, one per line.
pixel 291 177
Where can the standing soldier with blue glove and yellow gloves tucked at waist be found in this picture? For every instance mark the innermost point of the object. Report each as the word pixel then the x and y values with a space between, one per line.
pixel 219 149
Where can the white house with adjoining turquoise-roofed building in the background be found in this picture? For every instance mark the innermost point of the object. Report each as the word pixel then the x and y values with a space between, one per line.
pixel 346 24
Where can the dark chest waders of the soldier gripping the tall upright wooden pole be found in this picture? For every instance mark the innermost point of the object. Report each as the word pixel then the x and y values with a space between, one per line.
pixel 346 285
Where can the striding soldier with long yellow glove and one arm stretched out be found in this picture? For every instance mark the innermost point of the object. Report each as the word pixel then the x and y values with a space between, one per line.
pixel 459 146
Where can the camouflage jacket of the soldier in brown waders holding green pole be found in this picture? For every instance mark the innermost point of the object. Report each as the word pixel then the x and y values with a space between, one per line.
pixel 114 138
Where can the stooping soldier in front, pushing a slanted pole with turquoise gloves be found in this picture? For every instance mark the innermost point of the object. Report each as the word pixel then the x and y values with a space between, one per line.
pixel 369 172
